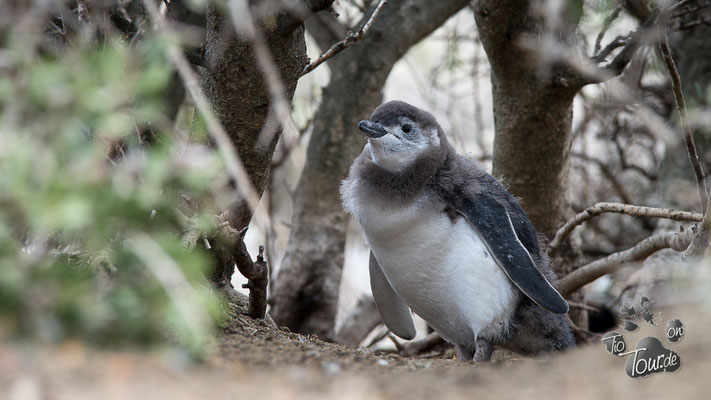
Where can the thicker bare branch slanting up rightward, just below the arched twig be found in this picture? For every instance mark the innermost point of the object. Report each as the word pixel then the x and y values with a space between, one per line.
pixel 590 272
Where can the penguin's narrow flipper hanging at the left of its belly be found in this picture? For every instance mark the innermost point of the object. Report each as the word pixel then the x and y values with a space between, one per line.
pixel 395 313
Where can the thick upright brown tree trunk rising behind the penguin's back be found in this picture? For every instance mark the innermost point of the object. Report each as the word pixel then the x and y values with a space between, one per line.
pixel 532 110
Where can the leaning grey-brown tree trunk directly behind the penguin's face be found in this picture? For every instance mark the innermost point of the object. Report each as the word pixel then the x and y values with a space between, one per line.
pixel 306 291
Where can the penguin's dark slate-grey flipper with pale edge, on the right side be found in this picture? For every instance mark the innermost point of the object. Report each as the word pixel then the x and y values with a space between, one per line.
pixel 493 222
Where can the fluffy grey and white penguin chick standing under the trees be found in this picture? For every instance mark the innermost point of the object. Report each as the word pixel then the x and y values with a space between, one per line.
pixel 449 242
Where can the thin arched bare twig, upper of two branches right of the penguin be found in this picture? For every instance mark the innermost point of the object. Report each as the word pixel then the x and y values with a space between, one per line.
pixel 618 208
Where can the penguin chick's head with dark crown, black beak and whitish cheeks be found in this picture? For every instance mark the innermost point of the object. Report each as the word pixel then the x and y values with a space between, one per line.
pixel 399 134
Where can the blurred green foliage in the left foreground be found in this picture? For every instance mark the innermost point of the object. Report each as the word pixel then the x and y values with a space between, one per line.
pixel 89 223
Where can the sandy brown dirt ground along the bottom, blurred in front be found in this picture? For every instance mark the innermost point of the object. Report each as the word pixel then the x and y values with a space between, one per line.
pixel 253 360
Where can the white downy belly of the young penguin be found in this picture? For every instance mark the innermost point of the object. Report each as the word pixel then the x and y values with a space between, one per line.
pixel 442 270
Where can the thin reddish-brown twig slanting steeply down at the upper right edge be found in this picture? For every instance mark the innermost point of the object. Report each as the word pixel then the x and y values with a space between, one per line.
pixel 683 119
